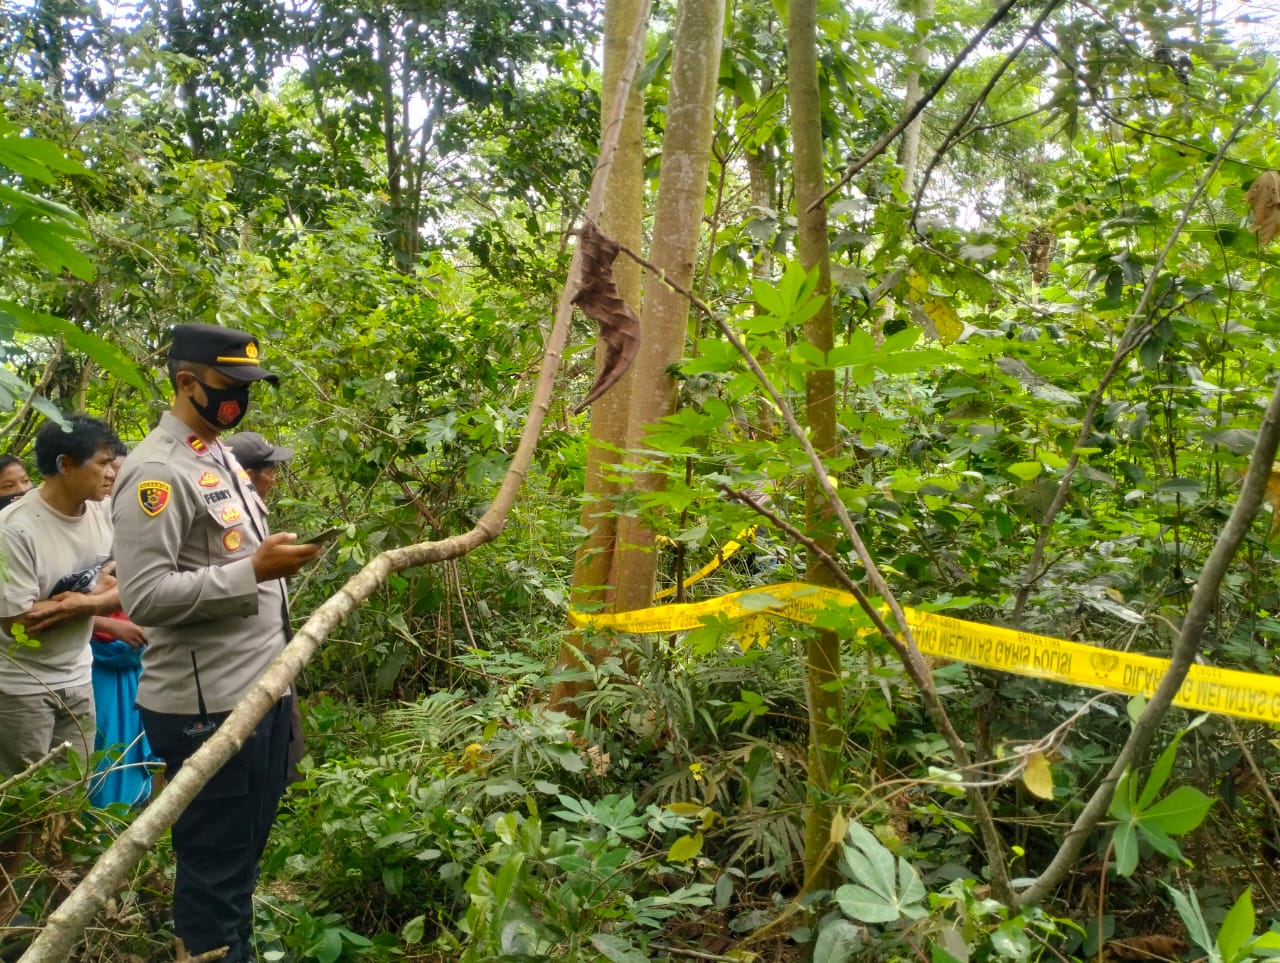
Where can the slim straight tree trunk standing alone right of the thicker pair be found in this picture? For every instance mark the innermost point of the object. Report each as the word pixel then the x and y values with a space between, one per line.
pixel 826 737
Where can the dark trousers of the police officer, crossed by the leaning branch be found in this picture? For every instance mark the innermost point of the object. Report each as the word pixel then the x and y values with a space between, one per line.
pixel 221 838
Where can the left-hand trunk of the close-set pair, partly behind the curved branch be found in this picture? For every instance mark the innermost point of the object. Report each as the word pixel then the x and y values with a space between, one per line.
pixel 623 220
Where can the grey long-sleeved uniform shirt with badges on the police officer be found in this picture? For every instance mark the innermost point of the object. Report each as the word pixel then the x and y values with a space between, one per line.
pixel 186 523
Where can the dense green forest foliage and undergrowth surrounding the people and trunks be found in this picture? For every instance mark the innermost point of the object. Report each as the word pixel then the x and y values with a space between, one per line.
pixel 1072 289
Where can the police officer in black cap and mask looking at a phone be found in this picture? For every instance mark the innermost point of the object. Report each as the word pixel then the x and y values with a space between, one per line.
pixel 200 572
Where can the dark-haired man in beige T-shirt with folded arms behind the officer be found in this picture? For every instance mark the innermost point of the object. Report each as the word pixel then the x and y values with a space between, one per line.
pixel 57 545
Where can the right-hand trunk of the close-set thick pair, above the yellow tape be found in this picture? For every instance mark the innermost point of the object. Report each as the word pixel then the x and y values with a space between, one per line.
pixel 679 217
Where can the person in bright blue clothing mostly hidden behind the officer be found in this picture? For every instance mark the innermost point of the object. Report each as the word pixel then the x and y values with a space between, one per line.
pixel 125 774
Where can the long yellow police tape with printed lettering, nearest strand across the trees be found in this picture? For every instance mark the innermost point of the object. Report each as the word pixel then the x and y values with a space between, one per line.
pixel 1206 688
